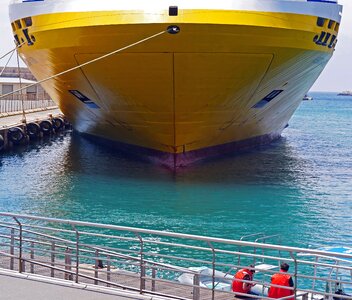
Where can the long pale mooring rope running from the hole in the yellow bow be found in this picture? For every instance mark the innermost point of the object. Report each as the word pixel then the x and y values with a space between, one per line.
pixel 86 63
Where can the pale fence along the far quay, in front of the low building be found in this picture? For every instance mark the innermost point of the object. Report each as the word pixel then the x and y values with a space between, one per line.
pixel 27 102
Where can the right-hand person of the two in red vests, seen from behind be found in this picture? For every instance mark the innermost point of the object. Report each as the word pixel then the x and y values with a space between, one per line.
pixel 282 279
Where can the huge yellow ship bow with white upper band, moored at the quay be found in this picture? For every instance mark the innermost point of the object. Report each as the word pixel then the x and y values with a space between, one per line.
pixel 176 81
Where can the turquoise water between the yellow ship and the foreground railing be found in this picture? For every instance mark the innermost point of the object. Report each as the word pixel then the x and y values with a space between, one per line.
pixel 299 187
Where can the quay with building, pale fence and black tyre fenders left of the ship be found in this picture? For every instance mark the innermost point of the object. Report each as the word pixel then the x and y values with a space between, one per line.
pixel 26 111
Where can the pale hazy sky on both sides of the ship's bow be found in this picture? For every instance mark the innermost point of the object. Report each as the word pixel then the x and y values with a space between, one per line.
pixel 337 76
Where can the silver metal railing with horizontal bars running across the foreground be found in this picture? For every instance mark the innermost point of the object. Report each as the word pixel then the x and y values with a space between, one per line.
pixel 151 261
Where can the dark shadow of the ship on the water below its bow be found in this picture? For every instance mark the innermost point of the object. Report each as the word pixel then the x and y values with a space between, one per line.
pixel 276 162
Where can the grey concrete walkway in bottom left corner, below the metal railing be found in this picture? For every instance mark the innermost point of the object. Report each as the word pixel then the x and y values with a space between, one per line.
pixel 15 286
